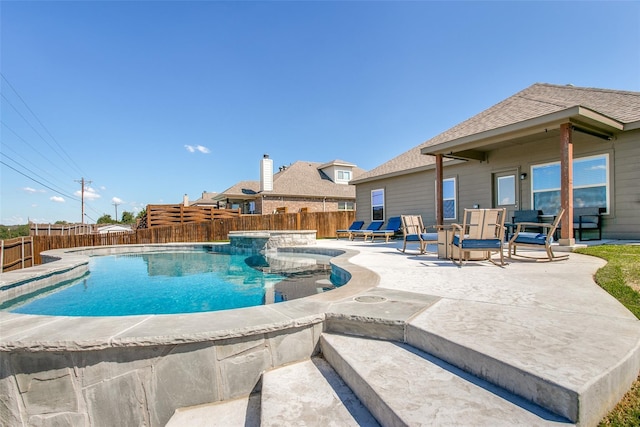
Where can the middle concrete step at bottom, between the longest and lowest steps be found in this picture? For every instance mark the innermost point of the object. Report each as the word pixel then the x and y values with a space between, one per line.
pixel 310 393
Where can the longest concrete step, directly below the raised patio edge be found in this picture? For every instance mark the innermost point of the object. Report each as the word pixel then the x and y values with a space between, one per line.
pixel 403 386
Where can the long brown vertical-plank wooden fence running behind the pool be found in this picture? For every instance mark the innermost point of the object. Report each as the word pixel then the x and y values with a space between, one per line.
pixel 325 224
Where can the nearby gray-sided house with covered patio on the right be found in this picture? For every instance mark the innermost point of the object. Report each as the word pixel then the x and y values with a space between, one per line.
pixel 530 151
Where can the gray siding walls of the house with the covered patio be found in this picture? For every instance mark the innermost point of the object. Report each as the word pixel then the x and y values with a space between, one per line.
pixel 415 193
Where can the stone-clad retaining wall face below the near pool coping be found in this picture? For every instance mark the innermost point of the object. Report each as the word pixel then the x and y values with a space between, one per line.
pixel 143 385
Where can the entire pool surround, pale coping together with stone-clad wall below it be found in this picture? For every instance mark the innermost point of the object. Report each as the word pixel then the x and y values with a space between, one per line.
pixel 136 370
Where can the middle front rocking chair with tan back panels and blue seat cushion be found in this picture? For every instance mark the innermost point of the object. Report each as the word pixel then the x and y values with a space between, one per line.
pixel 482 230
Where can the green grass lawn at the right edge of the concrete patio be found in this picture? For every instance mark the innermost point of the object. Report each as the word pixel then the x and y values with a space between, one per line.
pixel 621 278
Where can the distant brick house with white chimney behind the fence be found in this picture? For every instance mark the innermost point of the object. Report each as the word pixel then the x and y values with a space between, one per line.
pixel 299 187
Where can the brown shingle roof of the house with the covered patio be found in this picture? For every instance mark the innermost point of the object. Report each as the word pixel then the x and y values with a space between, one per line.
pixel 538 100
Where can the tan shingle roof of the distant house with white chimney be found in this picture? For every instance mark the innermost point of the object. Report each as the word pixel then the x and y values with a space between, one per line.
pixel 303 179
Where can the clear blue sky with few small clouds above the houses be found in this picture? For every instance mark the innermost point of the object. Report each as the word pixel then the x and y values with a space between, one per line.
pixel 152 100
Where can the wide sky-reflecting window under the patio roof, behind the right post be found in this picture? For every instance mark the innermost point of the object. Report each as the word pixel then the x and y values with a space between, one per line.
pixel 590 184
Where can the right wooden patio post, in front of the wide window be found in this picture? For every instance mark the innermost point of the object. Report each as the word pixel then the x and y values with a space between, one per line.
pixel 566 184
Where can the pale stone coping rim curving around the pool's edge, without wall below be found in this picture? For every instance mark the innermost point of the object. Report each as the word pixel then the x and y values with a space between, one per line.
pixel 36 333
